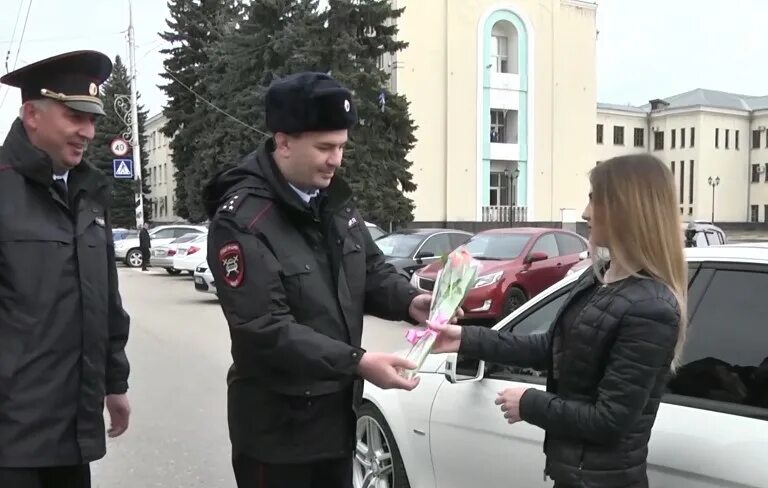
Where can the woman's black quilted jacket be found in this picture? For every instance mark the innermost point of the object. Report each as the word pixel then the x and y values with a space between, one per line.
pixel 599 412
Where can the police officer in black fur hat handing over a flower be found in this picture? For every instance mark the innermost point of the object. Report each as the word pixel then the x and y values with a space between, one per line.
pixel 295 270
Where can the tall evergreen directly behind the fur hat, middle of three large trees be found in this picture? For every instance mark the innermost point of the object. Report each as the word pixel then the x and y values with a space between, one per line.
pixel 241 67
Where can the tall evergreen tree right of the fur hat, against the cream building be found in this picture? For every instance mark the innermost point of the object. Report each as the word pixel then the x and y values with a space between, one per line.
pixel 359 33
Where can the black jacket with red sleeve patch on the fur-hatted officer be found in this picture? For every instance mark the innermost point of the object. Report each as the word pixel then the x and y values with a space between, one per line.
pixel 294 285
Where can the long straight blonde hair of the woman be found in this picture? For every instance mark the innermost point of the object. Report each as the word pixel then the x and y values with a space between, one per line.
pixel 635 199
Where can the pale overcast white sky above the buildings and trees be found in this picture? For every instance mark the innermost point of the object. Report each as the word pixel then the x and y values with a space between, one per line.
pixel 646 48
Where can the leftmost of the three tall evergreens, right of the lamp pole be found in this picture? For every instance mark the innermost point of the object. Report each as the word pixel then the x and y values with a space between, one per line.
pixel 194 26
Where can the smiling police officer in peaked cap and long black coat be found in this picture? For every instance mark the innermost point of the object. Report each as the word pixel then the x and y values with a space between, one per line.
pixel 63 329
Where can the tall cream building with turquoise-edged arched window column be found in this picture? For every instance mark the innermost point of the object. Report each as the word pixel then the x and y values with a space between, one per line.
pixel 503 94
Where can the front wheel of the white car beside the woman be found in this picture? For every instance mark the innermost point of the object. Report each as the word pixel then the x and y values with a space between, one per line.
pixel 370 422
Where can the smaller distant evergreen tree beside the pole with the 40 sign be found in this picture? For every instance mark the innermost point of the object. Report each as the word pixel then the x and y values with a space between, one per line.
pixel 109 127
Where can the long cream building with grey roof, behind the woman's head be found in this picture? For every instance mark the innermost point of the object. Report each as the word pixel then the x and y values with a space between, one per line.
pixel 714 142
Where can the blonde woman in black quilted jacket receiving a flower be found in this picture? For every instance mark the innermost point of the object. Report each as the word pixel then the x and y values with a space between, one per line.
pixel 610 352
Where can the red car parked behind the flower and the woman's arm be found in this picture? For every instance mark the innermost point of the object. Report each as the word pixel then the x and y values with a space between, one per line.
pixel 516 264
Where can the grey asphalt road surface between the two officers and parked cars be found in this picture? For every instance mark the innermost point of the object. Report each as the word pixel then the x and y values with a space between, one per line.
pixel 179 353
